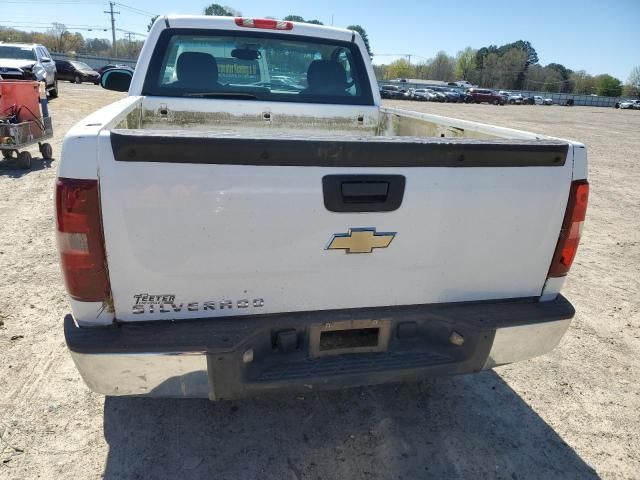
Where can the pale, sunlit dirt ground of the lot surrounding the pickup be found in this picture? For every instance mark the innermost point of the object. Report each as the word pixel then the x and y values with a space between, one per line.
pixel 574 413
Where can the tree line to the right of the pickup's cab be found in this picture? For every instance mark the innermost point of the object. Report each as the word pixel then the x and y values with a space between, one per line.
pixel 513 66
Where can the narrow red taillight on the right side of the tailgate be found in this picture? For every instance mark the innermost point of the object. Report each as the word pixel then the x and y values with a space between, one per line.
pixel 571 229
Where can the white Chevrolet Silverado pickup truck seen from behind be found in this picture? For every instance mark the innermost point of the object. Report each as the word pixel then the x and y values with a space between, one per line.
pixel 251 218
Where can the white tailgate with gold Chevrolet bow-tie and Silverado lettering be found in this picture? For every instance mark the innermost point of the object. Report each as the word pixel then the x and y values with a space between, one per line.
pixel 207 226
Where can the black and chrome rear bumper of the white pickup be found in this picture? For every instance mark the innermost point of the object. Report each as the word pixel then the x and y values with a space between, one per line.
pixel 231 358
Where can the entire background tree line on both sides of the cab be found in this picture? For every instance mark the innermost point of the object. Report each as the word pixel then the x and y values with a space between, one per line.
pixel 513 66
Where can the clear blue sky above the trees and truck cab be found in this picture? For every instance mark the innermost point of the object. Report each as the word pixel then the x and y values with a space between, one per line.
pixel 596 36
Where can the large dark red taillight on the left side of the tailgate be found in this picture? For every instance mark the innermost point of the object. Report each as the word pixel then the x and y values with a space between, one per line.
pixel 80 239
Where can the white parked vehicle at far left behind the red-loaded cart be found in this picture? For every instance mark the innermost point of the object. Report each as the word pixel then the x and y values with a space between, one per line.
pixel 22 61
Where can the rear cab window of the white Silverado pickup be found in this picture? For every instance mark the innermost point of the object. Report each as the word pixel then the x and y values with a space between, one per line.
pixel 257 65
